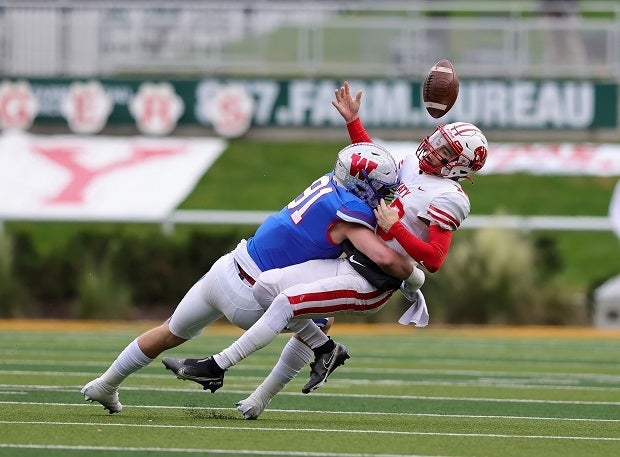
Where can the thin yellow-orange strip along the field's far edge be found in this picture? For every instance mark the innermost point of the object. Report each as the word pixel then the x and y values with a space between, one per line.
pixel 338 329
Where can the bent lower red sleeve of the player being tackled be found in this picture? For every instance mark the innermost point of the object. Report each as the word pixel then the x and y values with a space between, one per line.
pixel 431 254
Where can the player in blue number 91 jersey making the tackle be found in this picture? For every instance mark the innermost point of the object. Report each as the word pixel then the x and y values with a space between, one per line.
pixel 336 207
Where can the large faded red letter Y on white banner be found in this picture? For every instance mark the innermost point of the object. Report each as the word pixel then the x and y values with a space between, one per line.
pixel 82 177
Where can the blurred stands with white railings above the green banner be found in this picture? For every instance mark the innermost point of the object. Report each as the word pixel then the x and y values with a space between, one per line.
pixel 484 38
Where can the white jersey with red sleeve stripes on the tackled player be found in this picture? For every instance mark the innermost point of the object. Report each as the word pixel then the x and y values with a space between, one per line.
pixel 427 198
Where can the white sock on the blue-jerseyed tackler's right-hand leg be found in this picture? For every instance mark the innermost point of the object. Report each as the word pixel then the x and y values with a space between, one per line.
pixel 293 358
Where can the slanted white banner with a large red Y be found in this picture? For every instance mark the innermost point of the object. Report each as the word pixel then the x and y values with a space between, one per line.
pixel 99 178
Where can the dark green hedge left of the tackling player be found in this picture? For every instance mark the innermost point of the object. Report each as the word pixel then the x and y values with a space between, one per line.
pixel 155 270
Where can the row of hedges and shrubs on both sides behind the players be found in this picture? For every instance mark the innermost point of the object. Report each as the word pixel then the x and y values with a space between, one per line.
pixel 491 276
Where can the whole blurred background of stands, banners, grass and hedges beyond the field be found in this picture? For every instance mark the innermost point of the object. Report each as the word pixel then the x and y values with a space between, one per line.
pixel 142 139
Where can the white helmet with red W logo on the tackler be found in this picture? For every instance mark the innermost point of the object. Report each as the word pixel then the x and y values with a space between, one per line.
pixel 367 170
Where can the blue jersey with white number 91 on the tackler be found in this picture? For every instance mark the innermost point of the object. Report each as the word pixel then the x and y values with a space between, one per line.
pixel 300 231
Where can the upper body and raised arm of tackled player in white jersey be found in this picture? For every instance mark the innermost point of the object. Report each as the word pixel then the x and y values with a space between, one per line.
pixel 429 203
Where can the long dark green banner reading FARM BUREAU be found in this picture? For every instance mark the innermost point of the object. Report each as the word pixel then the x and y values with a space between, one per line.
pixel 232 105
